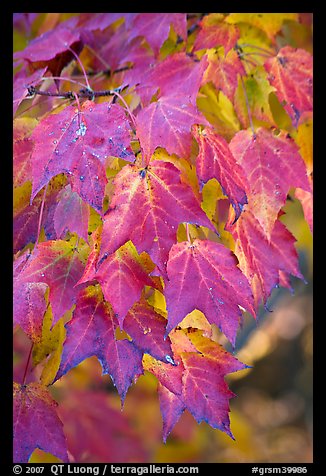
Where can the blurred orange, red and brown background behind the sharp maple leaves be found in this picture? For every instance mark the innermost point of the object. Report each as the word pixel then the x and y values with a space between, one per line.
pixel 271 417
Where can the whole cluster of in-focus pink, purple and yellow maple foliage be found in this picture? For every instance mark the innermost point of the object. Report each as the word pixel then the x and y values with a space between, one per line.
pixel 153 154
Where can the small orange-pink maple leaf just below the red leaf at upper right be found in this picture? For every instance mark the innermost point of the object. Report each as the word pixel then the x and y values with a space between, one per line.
pixel 223 71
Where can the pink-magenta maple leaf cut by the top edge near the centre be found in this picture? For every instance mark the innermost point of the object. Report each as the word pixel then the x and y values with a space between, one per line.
pixel 155 27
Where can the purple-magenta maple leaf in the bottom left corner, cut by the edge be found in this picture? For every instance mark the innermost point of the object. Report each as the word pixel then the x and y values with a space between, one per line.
pixel 36 423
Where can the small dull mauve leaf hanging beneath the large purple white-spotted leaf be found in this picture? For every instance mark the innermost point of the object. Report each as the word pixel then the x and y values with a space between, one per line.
pixel 71 214
